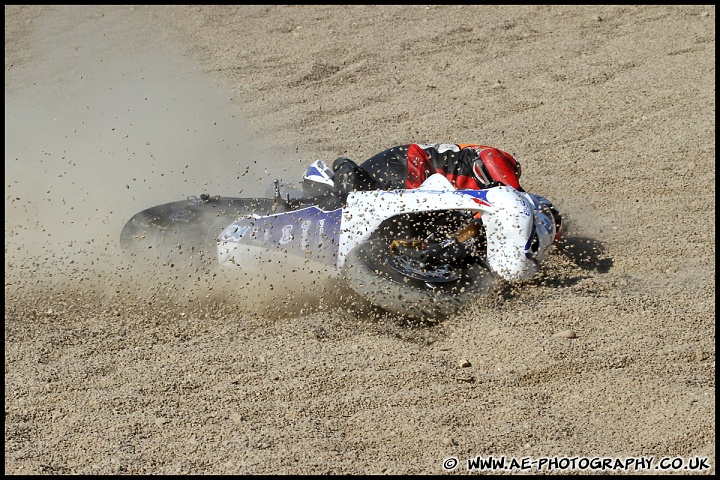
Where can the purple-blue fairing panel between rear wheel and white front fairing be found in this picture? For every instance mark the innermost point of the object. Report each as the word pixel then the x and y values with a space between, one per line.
pixel 310 232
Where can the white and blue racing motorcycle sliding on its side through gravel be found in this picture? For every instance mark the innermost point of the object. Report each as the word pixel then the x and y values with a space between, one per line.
pixel 422 253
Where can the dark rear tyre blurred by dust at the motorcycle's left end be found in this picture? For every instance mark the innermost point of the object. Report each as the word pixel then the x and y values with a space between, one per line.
pixel 185 232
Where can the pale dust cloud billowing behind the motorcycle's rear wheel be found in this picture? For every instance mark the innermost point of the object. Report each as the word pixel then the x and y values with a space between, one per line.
pixel 96 131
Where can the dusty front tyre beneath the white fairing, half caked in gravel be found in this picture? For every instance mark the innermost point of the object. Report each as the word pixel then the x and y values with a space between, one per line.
pixel 367 271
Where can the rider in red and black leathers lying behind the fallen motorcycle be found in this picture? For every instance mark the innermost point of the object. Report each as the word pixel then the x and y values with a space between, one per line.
pixel 466 166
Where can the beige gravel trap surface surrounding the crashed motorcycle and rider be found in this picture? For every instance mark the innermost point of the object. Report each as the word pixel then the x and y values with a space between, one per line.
pixel 113 367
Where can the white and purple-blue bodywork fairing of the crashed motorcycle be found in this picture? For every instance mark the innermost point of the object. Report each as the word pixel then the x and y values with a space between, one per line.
pixel 519 232
